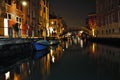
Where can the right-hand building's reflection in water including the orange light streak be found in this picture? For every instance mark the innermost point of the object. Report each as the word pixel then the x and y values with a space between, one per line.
pixel 105 51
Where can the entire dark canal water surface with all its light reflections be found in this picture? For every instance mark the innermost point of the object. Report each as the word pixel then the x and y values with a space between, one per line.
pixel 71 60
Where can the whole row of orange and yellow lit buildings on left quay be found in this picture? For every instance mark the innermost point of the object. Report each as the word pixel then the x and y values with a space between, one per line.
pixel 24 18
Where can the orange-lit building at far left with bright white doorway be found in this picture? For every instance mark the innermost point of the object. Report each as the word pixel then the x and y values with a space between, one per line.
pixel 11 18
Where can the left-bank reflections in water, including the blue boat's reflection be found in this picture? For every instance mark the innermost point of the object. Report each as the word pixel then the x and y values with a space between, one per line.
pixel 36 67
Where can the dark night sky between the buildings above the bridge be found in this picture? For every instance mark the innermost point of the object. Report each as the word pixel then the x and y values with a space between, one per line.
pixel 74 12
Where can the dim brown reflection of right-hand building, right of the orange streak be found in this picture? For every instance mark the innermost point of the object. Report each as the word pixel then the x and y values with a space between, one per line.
pixel 111 53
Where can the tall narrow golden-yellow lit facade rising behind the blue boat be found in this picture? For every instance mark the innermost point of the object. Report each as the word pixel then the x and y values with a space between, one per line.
pixel 44 18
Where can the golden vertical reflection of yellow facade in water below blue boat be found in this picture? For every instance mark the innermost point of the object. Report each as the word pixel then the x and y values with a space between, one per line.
pixel 41 68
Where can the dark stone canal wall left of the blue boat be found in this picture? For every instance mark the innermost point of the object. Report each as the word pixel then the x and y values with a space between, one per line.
pixel 10 48
